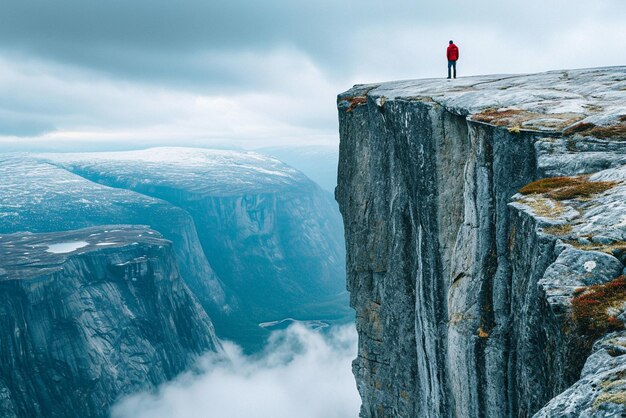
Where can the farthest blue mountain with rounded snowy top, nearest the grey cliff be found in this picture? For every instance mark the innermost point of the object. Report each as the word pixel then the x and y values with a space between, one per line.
pixel 272 236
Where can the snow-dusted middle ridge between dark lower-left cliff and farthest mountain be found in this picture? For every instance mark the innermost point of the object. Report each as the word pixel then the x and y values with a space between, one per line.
pixel 38 197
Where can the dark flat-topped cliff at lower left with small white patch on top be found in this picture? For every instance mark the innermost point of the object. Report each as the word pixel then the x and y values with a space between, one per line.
pixel 90 315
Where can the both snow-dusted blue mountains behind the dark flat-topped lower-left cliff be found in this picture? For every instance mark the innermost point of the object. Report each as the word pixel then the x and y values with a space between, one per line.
pixel 254 237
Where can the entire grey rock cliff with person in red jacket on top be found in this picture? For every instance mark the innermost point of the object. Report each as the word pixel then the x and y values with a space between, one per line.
pixel 473 300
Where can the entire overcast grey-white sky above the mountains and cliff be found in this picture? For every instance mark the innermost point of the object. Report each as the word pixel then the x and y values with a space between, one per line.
pixel 234 73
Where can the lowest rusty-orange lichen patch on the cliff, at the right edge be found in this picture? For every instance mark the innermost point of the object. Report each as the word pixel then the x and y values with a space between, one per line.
pixel 594 307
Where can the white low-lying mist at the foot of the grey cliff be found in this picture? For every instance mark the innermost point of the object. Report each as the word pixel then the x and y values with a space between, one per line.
pixel 301 373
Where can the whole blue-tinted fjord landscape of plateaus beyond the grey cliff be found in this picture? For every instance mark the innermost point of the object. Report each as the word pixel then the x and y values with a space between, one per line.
pixel 142 261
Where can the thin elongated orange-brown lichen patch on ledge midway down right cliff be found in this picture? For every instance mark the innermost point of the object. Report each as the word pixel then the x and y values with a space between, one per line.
pixel 564 188
